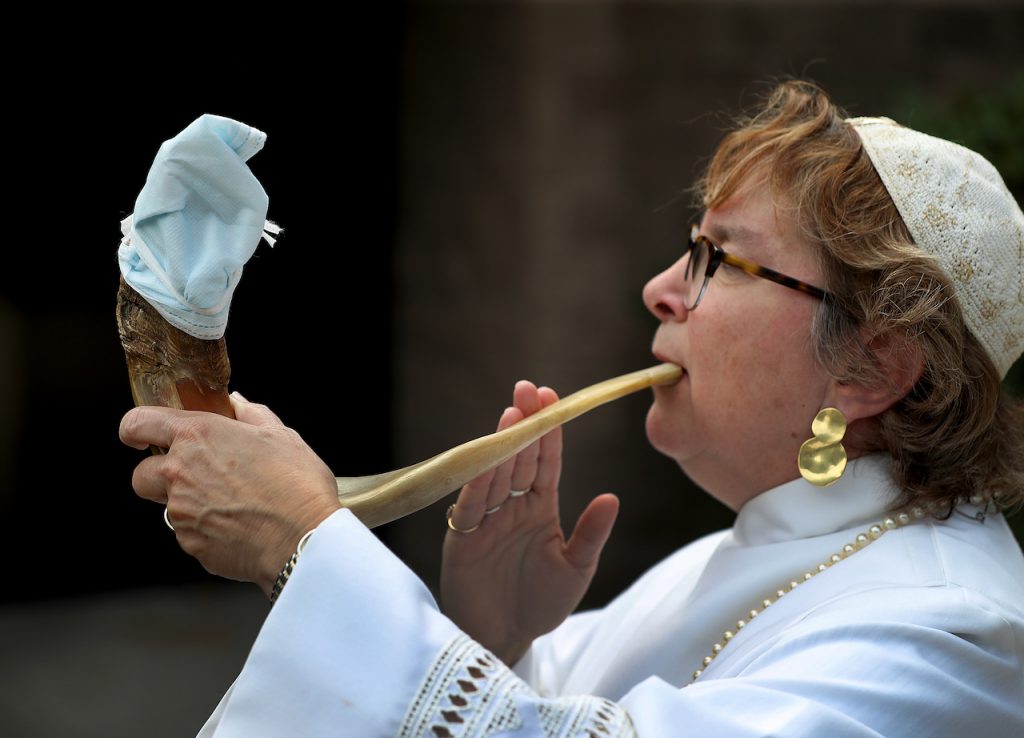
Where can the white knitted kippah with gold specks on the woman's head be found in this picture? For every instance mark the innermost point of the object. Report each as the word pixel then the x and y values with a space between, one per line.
pixel 958 209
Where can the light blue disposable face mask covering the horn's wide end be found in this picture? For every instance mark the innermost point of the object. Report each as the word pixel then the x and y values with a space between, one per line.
pixel 198 221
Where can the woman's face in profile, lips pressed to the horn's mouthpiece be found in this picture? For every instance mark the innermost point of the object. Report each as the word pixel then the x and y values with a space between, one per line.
pixel 735 423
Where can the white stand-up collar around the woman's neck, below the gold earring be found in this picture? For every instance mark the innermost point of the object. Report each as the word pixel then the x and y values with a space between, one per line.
pixel 800 510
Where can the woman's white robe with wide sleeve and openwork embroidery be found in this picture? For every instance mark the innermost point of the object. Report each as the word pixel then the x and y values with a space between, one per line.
pixel 920 633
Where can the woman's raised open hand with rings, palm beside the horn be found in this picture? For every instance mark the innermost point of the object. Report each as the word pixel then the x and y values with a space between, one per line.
pixel 516 578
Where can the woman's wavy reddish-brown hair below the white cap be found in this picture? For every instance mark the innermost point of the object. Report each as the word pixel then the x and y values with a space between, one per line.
pixel 955 435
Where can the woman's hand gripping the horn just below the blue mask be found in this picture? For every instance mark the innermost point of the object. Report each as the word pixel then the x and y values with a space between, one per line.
pixel 240 494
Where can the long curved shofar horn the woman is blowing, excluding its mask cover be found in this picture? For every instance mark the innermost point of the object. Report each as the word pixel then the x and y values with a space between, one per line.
pixel 169 368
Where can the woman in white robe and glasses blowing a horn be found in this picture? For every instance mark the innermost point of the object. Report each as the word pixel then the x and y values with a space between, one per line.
pixel 849 273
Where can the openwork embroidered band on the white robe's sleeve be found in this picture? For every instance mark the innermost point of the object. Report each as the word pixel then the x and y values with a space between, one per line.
pixel 470 693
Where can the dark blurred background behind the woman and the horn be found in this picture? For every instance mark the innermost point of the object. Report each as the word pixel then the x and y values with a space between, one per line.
pixel 473 194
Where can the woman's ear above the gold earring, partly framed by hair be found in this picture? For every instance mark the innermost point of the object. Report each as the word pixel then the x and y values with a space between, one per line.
pixel 902 363
